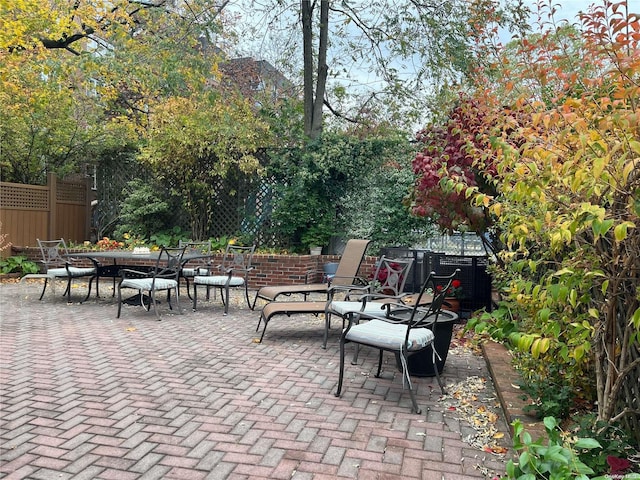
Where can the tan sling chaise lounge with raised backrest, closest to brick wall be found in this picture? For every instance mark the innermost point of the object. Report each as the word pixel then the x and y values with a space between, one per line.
pixel 346 272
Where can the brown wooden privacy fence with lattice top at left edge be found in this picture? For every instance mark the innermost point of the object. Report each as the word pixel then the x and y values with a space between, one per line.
pixel 61 209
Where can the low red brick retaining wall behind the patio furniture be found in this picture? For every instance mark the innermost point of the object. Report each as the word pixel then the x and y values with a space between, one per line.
pixel 270 269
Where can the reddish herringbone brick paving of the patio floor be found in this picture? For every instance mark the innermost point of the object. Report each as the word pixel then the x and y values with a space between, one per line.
pixel 84 395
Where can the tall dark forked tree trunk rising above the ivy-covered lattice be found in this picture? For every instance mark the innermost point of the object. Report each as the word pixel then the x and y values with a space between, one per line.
pixel 314 100
